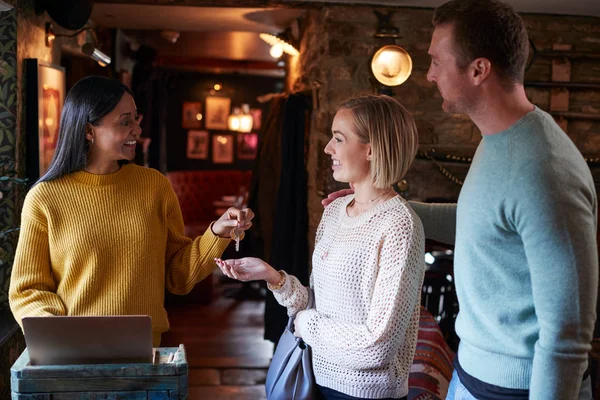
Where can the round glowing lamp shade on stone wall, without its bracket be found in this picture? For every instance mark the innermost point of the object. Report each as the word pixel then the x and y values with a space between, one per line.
pixel 391 65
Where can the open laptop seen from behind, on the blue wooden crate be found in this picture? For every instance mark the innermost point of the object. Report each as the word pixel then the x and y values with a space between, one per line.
pixel 88 340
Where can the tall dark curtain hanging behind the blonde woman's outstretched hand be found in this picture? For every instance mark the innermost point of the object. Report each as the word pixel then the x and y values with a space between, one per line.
pixel 278 195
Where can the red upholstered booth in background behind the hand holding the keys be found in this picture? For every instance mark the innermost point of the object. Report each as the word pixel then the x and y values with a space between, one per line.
pixel 197 191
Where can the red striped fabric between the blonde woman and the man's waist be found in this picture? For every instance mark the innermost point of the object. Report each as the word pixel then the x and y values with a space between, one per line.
pixel 431 371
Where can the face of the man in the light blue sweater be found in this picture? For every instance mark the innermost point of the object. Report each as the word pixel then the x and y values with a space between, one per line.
pixel 452 82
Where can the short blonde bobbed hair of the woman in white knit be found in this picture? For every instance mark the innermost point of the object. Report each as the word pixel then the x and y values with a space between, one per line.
pixel 391 131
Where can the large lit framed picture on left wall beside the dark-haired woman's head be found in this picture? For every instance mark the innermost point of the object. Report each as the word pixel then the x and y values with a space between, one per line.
pixel 45 99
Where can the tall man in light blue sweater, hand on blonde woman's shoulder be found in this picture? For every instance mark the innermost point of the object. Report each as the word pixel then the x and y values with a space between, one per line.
pixel 524 227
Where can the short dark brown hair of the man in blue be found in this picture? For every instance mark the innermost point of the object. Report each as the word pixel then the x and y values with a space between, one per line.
pixel 488 29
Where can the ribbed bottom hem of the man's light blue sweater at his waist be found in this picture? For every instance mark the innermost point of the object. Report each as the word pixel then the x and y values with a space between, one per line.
pixel 496 369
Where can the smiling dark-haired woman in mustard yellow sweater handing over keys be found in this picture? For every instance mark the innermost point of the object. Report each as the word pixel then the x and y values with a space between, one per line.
pixel 100 236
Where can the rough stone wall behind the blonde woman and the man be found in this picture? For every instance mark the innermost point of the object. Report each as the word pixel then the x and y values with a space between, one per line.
pixel 336 46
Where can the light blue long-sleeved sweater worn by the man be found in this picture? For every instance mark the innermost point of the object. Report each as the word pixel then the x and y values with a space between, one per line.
pixel 526 262
